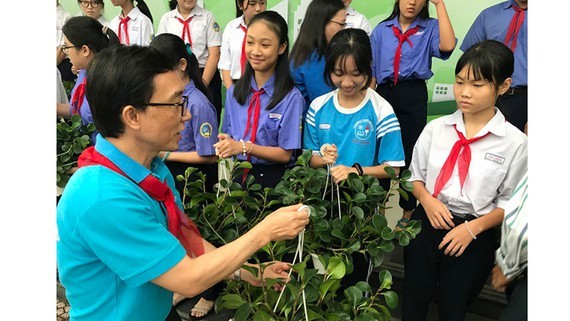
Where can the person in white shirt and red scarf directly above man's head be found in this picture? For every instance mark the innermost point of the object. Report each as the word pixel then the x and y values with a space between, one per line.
pixel 133 25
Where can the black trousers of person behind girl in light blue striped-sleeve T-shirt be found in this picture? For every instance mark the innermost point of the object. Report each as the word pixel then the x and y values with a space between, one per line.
pixel 409 100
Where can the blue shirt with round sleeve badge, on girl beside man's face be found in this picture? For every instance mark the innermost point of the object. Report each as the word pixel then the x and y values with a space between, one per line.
pixel 201 131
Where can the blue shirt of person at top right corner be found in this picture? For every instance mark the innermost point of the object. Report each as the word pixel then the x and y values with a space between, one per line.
pixel 493 23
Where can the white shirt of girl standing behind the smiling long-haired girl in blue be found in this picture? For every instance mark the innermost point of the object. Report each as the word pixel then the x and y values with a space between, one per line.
pixel 230 52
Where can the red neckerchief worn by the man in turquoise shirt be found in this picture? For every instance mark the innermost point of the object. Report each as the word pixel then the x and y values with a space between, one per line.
pixel 180 225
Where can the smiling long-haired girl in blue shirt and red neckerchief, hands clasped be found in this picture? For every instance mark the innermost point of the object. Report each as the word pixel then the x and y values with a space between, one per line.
pixel 262 119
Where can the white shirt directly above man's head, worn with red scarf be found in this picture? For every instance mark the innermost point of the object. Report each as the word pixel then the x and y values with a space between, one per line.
pixel 140 28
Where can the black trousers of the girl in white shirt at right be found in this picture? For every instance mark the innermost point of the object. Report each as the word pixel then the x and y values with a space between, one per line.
pixel 456 281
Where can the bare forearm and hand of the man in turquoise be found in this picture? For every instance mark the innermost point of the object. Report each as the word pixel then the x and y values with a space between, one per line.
pixel 191 276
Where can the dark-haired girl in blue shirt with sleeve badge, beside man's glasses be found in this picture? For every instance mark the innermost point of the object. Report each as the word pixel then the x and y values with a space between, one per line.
pixel 196 147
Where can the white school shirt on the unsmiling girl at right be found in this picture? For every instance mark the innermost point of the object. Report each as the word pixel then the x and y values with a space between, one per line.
pixel 498 161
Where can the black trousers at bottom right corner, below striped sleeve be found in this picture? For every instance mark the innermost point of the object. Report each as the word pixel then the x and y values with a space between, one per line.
pixel 517 296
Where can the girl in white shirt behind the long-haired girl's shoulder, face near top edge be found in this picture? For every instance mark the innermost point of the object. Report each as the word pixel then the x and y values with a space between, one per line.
pixel 232 57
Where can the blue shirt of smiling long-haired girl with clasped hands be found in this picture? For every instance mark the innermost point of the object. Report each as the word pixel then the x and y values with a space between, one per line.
pixel 279 127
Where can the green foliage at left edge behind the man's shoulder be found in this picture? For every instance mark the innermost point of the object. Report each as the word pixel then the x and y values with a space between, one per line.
pixel 72 138
